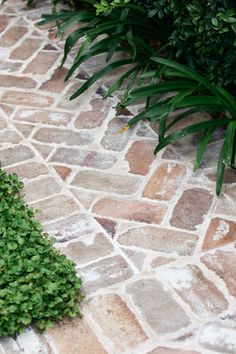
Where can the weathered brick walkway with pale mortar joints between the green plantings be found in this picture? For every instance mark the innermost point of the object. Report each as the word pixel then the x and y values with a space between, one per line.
pixel 154 245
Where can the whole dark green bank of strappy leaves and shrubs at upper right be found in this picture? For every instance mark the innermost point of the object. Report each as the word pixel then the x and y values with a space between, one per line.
pixel 197 33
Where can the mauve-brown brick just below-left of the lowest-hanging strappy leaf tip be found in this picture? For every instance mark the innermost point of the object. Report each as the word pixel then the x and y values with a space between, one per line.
pixel 188 215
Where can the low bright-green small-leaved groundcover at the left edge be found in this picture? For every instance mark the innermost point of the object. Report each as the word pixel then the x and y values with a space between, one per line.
pixel 37 284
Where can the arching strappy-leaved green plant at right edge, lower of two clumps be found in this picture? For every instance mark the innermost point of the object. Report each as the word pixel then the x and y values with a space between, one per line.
pixel 191 94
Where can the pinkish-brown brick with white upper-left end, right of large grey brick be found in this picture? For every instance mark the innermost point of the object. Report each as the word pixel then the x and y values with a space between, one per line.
pixel 203 297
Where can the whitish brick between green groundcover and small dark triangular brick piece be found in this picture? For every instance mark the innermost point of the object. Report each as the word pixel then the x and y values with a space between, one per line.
pixel 71 227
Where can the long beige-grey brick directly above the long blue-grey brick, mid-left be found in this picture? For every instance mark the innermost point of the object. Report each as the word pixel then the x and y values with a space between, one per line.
pixel 62 136
